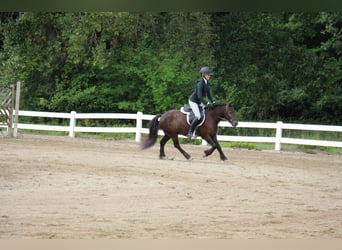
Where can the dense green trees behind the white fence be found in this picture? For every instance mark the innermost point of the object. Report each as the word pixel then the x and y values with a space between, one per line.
pixel 273 66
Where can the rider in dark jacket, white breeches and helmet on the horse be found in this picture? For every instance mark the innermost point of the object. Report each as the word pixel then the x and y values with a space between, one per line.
pixel 197 97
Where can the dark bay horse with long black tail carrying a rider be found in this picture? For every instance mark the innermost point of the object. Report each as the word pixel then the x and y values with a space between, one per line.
pixel 173 123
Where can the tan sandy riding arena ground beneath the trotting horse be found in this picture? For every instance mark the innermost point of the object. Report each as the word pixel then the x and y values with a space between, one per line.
pixel 59 187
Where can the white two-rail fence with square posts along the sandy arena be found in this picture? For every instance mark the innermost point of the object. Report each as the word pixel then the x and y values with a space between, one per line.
pixel 139 129
